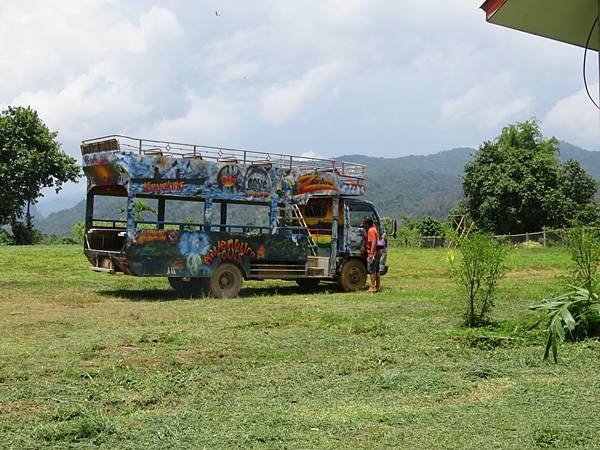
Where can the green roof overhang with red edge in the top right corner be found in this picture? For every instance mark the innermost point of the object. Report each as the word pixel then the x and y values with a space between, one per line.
pixel 567 21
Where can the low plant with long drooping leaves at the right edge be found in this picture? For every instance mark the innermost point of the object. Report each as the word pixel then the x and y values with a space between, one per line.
pixel 574 315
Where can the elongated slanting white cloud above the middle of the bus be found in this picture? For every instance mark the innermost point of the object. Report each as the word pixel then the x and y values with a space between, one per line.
pixel 282 102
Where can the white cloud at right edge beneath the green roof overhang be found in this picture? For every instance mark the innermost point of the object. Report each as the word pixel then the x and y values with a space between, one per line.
pixel 575 119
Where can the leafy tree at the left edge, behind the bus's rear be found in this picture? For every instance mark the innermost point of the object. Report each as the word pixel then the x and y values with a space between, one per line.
pixel 30 160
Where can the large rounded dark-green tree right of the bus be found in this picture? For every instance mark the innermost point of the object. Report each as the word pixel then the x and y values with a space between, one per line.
pixel 516 183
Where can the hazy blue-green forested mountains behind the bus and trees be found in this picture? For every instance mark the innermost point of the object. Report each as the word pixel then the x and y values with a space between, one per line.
pixel 408 185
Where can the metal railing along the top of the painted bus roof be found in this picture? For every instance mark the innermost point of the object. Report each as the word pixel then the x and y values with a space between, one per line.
pixel 223 155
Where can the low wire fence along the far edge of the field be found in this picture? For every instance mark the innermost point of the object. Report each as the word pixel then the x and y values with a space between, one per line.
pixel 544 238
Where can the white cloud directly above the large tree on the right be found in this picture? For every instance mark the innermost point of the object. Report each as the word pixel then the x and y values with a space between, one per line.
pixel 488 105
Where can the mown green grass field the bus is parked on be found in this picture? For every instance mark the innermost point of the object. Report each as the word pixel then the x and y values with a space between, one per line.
pixel 89 359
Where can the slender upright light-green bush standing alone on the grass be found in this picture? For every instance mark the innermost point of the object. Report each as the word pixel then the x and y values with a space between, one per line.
pixel 477 273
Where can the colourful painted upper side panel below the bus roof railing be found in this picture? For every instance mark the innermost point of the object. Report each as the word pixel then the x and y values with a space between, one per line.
pixel 165 175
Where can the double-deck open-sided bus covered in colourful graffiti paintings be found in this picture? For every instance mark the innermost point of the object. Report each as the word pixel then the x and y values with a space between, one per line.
pixel 303 218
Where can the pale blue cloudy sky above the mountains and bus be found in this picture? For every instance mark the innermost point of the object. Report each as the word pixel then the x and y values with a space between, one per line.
pixel 382 78
